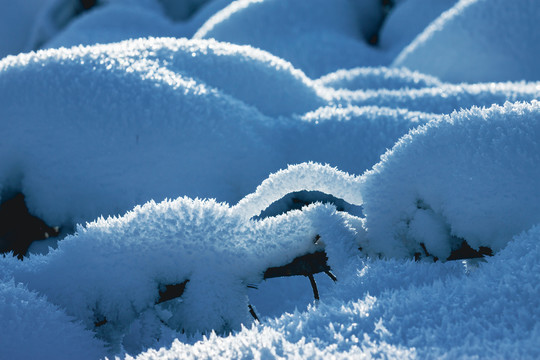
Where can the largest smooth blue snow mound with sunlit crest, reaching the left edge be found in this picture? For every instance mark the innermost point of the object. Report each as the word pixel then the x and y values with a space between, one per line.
pixel 162 118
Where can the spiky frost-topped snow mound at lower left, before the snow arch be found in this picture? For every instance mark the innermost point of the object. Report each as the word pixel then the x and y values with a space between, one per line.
pixel 123 264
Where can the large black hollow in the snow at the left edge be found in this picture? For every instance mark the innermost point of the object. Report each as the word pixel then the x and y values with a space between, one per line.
pixel 19 229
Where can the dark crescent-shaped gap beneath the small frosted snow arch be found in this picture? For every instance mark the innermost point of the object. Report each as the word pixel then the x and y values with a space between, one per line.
pixel 297 200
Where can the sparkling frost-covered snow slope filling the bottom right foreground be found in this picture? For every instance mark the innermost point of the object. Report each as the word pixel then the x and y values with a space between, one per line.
pixel 403 309
